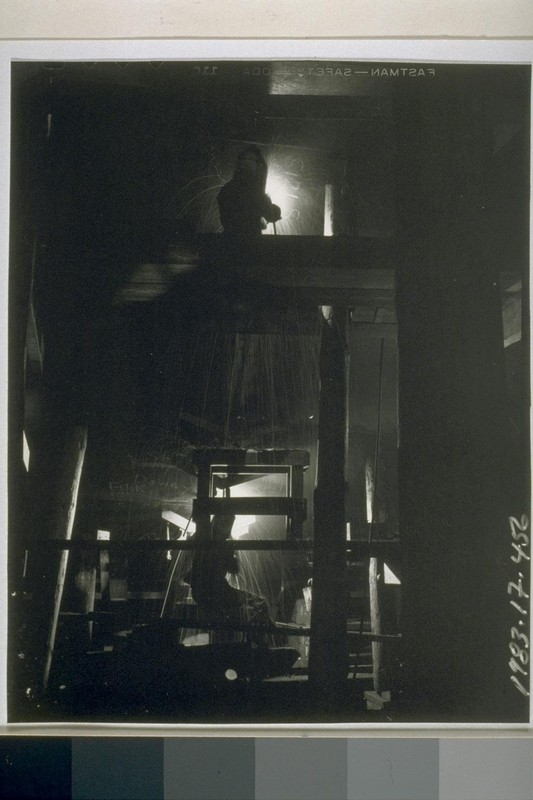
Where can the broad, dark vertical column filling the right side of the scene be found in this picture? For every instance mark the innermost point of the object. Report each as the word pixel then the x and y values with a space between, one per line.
pixel 455 463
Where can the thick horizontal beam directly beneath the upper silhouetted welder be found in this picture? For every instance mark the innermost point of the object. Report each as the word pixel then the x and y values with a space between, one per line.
pixel 318 269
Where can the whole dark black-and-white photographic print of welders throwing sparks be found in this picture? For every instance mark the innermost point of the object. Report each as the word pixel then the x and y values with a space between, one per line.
pixel 269 392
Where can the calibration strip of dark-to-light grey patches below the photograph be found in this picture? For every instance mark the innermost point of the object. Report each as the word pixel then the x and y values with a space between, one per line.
pixel 217 768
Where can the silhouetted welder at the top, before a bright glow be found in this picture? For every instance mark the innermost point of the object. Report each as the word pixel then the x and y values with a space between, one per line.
pixel 245 208
